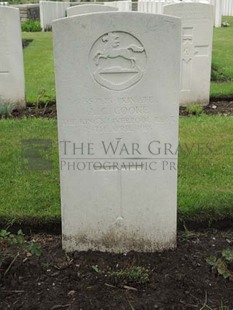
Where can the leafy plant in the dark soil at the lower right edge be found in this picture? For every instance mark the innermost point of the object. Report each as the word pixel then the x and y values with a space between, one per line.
pixel 222 265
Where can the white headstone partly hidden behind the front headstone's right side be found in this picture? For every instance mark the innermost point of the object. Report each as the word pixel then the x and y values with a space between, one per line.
pixel 196 51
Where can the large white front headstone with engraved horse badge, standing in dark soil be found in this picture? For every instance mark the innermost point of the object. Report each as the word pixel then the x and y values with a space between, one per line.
pixel 118 101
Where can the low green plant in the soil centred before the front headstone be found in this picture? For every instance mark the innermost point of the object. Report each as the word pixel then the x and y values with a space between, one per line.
pixel 134 274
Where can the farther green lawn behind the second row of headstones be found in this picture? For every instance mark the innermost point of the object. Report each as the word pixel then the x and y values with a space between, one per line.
pixel 39 67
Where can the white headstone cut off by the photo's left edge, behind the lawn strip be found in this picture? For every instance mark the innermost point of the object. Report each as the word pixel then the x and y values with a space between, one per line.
pixel 12 88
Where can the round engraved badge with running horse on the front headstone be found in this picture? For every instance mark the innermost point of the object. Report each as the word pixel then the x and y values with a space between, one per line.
pixel 117 60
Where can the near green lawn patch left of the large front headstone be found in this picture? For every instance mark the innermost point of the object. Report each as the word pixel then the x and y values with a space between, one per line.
pixel 25 193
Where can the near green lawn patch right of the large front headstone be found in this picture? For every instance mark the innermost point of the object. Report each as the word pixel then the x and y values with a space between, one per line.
pixel 205 191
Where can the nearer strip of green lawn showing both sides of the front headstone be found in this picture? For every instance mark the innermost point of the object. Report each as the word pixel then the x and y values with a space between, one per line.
pixel 205 189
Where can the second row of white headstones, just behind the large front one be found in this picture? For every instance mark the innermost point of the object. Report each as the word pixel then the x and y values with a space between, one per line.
pixel 196 49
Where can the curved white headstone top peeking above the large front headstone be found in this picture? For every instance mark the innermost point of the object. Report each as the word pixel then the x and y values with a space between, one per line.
pixel 89 8
